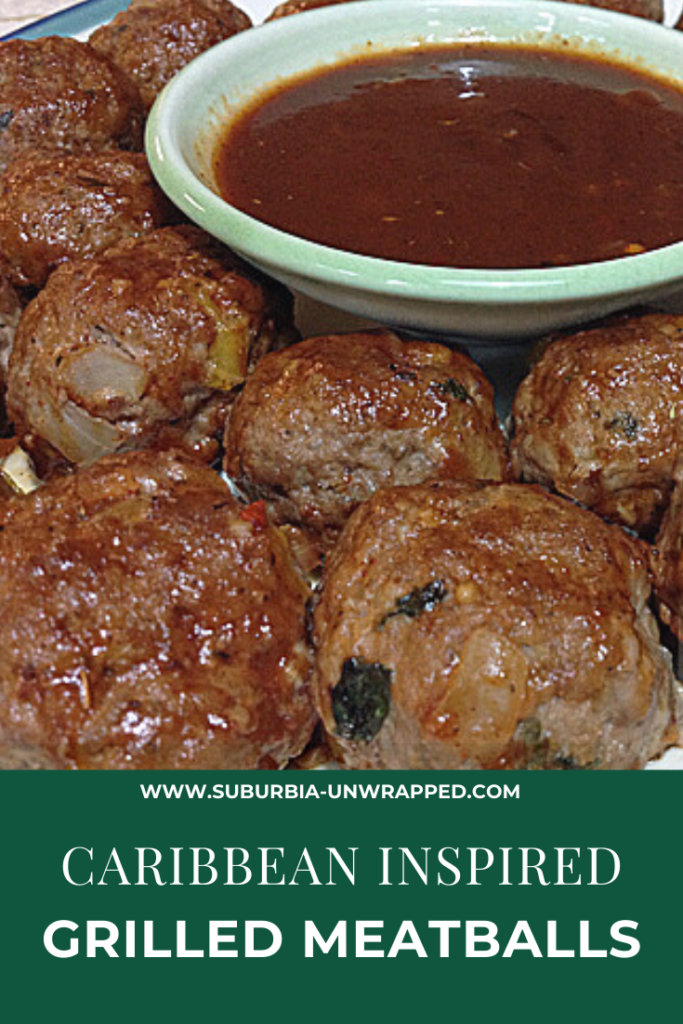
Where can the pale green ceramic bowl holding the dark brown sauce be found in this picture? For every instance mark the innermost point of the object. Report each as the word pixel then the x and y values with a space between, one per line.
pixel 494 306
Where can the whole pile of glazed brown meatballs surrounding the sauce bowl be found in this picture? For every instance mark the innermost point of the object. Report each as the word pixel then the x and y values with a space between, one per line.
pixel 246 547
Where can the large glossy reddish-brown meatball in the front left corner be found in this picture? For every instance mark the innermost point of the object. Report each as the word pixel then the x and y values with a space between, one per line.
pixel 149 621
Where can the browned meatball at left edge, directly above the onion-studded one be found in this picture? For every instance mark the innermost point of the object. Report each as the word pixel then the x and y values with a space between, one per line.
pixel 56 207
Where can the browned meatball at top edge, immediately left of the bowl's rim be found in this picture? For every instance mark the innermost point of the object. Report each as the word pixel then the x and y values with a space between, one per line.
pixel 152 40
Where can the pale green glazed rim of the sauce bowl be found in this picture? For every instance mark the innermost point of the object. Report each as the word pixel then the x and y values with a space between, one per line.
pixel 295 257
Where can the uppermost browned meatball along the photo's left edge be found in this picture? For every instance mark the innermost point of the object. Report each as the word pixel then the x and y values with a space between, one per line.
pixel 62 94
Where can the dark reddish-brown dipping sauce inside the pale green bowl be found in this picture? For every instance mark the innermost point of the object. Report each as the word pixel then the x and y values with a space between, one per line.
pixel 465 156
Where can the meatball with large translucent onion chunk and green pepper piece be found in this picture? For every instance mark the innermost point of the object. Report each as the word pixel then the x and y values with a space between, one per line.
pixel 142 346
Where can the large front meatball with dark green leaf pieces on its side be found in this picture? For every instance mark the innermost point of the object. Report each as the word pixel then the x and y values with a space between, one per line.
pixel 489 626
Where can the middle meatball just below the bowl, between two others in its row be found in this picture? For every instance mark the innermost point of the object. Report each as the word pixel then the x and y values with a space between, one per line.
pixel 322 425
